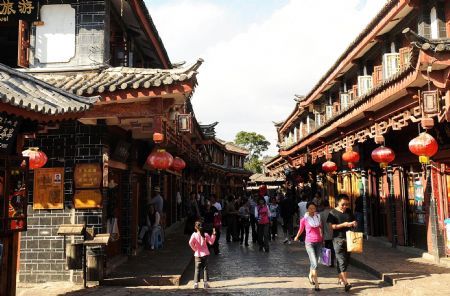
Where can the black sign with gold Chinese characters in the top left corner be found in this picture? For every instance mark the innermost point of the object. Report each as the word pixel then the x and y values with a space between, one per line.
pixel 13 10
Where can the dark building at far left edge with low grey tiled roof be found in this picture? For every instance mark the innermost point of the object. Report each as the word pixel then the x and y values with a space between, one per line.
pixel 26 105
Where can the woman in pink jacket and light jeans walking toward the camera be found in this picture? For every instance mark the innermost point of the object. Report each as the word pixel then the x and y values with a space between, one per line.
pixel 311 224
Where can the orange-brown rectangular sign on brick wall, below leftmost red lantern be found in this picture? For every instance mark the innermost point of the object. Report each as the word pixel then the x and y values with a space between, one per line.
pixel 48 188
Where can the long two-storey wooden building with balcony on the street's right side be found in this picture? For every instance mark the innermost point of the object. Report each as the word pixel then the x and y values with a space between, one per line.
pixel 390 79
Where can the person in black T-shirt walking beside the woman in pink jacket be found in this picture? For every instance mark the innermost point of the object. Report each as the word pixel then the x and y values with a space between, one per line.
pixel 341 220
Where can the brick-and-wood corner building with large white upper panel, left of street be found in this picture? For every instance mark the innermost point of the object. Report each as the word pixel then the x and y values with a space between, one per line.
pixel 111 52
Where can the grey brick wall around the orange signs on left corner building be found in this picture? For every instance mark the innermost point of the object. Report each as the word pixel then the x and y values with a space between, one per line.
pixel 42 250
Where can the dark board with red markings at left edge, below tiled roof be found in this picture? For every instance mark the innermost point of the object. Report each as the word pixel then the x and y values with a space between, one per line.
pixel 13 194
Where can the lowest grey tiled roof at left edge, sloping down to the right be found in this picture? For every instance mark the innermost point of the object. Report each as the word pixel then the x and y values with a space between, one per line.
pixel 26 92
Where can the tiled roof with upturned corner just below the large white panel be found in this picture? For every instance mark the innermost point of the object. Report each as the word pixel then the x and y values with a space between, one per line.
pixel 98 81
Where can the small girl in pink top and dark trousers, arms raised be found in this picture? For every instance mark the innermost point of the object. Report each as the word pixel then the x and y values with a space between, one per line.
pixel 199 244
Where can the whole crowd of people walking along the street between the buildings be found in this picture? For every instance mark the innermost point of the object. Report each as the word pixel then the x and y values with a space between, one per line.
pixel 258 217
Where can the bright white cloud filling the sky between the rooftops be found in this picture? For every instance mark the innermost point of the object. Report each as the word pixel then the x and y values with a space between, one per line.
pixel 252 70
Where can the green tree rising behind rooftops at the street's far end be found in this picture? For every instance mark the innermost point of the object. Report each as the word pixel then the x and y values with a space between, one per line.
pixel 256 144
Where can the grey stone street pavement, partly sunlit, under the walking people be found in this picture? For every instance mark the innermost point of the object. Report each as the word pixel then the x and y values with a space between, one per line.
pixel 246 271
